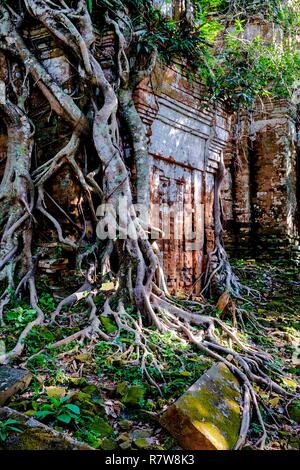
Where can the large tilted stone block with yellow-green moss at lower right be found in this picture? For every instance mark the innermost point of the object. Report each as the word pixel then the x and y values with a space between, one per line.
pixel 207 416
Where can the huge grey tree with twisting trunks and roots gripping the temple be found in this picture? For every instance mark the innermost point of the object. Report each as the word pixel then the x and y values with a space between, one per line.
pixel 23 188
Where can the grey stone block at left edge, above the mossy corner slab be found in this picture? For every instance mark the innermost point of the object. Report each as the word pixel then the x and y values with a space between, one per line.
pixel 12 380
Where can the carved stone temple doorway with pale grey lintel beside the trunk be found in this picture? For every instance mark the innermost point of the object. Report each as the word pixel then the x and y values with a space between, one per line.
pixel 186 143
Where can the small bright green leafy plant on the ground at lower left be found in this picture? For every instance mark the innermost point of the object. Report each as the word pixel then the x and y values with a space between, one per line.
pixel 59 410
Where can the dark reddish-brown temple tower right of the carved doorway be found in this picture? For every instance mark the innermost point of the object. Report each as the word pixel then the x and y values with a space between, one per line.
pixel 261 191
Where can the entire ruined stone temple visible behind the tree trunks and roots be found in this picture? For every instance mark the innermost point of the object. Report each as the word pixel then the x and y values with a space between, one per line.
pixel 187 140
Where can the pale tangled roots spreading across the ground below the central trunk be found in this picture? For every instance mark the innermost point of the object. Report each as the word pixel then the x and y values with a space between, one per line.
pixel 246 366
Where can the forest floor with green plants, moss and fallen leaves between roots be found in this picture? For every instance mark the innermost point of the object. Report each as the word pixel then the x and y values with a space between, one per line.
pixel 114 405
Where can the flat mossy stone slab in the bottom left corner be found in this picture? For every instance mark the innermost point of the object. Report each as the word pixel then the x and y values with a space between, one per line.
pixel 35 435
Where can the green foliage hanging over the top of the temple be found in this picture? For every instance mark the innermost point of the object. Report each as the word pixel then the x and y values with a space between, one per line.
pixel 232 68
